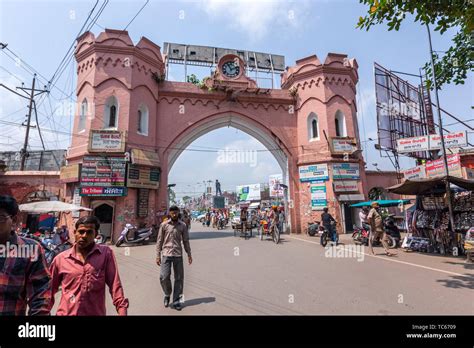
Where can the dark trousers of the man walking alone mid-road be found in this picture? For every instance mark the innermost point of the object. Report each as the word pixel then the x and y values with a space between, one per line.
pixel 165 276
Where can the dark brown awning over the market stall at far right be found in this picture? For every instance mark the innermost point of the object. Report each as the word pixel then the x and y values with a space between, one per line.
pixel 415 187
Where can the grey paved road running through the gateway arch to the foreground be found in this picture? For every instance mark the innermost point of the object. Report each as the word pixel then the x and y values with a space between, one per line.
pixel 234 276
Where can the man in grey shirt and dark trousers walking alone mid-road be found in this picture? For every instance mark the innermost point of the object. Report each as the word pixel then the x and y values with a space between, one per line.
pixel 169 253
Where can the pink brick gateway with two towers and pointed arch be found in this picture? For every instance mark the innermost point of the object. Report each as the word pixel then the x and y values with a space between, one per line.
pixel 312 119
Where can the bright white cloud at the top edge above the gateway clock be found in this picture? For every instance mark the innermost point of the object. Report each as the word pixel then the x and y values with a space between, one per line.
pixel 256 18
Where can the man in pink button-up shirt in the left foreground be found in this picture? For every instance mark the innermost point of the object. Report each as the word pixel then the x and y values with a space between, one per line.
pixel 83 271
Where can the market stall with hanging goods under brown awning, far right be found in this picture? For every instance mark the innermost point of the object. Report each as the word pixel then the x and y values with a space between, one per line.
pixel 429 223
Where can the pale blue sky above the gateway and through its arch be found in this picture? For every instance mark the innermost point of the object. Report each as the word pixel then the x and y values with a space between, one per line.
pixel 40 32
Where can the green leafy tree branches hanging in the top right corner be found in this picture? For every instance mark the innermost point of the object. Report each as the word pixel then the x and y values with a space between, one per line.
pixel 455 63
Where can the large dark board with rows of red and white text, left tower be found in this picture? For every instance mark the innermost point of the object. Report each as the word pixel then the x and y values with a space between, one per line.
pixel 103 171
